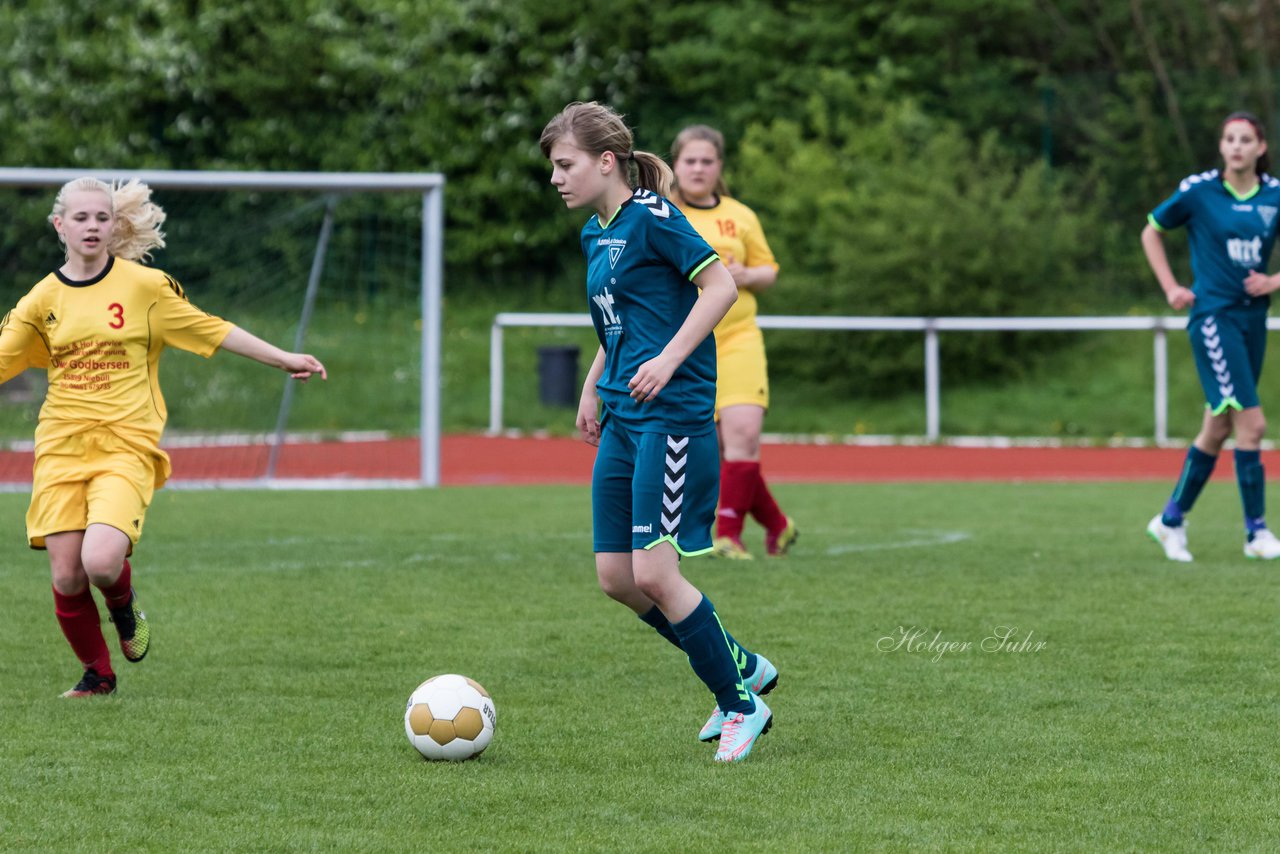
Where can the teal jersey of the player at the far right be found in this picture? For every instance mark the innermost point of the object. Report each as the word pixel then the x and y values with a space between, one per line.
pixel 1229 236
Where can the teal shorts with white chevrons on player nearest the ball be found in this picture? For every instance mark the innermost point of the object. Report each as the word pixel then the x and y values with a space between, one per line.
pixel 648 488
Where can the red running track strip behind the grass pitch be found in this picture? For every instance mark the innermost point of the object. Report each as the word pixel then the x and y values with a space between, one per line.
pixel 501 460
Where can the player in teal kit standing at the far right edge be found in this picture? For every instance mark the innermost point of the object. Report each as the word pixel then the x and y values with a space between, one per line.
pixel 1231 220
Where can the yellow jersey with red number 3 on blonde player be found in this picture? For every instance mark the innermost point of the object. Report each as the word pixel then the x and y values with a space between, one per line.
pixel 100 341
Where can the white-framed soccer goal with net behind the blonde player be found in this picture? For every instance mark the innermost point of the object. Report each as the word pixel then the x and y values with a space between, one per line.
pixel 326 189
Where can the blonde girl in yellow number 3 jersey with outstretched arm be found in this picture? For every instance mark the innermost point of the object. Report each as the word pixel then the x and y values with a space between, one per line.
pixel 99 325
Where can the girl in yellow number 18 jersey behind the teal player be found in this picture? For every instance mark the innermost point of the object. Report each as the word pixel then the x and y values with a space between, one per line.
pixel 743 382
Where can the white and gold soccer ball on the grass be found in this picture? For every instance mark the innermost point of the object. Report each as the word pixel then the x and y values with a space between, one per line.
pixel 450 718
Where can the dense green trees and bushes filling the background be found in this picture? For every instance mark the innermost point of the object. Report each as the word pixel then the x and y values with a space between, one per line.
pixel 922 157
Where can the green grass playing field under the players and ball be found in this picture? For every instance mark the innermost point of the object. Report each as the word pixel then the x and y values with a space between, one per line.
pixel 290 629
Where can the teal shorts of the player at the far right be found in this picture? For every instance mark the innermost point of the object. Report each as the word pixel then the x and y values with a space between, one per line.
pixel 1229 348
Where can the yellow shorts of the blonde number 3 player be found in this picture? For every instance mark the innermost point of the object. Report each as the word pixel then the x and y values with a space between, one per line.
pixel 88 479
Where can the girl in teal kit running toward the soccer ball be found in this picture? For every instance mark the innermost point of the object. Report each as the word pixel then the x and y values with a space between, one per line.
pixel 648 405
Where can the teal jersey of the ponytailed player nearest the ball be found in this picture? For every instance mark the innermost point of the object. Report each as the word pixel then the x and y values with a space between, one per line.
pixel 639 286
